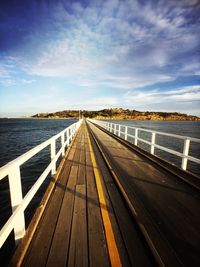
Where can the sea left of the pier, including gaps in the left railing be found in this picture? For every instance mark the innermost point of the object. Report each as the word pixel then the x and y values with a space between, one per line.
pixel 17 136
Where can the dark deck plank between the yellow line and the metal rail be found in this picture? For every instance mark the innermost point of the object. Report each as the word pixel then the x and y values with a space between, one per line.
pixel 137 252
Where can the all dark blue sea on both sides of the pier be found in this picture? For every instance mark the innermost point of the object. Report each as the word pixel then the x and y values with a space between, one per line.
pixel 17 136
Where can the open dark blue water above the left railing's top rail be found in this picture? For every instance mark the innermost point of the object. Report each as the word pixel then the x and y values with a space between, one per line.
pixel 17 136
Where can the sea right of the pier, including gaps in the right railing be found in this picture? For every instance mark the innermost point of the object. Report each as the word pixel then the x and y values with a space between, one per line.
pixel 184 128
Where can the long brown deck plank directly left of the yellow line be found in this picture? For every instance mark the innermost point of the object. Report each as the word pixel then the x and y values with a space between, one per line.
pixel 98 254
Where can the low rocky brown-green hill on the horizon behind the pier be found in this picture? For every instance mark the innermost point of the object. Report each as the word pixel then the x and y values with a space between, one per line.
pixel 118 114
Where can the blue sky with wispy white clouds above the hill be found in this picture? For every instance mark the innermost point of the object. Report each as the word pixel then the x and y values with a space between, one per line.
pixel 60 54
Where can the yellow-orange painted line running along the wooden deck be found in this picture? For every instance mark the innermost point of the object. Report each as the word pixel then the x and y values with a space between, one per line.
pixel 110 238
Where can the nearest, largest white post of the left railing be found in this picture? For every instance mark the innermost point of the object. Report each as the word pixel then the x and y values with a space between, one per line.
pixel 16 198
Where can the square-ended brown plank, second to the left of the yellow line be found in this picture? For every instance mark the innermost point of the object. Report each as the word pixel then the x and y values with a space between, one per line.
pixel 78 252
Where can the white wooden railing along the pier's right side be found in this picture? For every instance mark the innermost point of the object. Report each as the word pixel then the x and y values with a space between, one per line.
pixel 122 131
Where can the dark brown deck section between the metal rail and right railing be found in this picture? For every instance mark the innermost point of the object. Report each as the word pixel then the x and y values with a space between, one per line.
pixel 169 204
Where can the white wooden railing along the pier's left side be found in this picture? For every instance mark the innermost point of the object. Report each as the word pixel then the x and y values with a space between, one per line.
pixel 12 171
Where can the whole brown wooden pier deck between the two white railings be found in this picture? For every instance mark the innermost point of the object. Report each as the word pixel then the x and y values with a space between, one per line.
pixel 112 206
